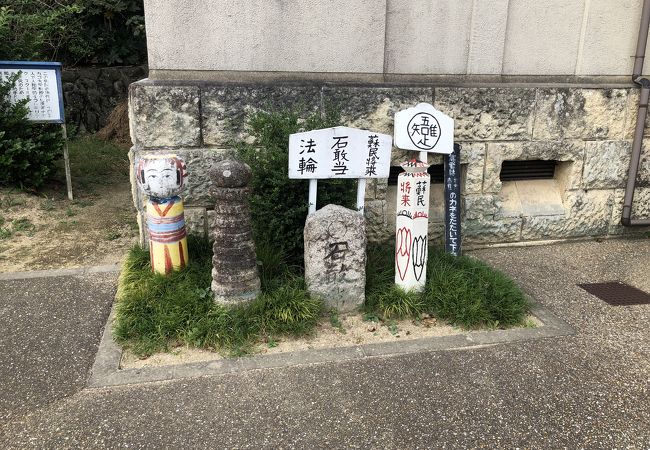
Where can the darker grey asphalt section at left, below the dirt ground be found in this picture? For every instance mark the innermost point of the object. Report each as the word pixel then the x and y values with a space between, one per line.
pixel 49 332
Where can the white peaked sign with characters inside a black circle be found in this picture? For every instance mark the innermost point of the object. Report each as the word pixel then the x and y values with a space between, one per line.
pixel 425 129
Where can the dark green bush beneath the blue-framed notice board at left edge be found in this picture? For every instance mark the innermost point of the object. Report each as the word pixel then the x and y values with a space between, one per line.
pixel 27 150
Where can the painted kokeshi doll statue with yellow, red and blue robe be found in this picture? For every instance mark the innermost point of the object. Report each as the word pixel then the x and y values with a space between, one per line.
pixel 161 178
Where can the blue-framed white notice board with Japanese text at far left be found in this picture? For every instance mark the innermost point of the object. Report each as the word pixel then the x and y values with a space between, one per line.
pixel 40 82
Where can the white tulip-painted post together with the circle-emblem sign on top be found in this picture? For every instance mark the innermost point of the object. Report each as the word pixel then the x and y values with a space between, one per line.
pixel 427 130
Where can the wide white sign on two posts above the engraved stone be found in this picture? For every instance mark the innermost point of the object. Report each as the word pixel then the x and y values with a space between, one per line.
pixel 339 152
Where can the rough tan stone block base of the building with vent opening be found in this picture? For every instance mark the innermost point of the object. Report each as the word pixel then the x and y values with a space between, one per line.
pixel 587 130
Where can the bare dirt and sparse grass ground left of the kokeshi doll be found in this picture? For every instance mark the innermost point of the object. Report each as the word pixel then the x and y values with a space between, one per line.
pixel 45 230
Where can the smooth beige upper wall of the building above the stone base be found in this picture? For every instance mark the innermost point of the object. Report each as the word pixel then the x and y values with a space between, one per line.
pixel 421 37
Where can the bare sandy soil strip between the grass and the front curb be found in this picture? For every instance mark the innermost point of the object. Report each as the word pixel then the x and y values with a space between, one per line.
pixel 352 331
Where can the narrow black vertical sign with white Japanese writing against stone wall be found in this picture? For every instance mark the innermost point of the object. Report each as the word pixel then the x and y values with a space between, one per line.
pixel 452 202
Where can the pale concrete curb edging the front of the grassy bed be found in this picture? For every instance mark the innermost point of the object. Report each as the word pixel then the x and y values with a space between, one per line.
pixel 106 372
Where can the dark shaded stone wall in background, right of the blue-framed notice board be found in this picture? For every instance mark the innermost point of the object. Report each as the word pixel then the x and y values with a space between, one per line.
pixel 91 93
